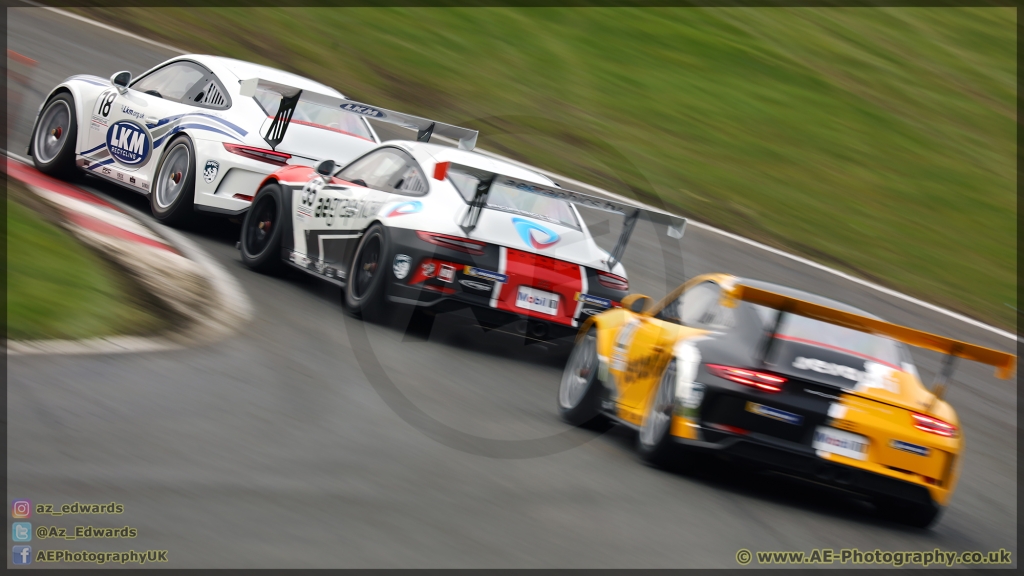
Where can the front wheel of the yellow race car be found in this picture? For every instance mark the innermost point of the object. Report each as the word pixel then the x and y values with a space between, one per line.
pixel 580 391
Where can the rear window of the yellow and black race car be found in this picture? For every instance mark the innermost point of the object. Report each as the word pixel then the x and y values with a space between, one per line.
pixel 809 332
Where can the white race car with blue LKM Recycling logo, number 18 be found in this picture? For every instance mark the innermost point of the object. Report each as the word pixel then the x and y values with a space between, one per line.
pixel 184 134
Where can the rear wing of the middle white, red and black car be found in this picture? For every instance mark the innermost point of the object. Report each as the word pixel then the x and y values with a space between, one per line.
pixel 631 213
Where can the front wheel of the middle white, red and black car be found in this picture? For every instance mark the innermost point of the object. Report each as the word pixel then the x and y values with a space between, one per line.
pixel 263 230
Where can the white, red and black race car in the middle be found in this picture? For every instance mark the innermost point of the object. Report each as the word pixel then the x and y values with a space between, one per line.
pixel 431 226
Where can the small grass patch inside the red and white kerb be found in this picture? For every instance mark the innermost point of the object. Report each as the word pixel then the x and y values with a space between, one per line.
pixel 58 289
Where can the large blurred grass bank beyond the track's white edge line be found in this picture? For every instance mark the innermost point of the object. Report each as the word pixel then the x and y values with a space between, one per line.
pixel 881 142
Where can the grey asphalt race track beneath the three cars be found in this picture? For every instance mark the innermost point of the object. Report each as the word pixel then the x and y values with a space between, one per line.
pixel 274 448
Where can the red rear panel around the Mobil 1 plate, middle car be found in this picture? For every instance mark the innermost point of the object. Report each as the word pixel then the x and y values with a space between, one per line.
pixel 542 273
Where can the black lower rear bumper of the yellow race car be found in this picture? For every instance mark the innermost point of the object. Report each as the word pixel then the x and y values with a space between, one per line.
pixel 803 463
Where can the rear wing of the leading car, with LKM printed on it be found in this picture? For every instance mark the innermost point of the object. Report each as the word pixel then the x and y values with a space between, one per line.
pixel 290 98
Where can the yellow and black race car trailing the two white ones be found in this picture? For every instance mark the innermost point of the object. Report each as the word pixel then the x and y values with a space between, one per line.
pixel 784 380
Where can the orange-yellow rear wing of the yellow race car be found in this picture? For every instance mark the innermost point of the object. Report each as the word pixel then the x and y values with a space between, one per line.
pixel 1004 363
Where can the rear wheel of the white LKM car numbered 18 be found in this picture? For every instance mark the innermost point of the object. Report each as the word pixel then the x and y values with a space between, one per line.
pixel 173 198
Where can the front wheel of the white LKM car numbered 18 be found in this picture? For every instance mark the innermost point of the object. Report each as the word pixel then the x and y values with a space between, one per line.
pixel 56 137
